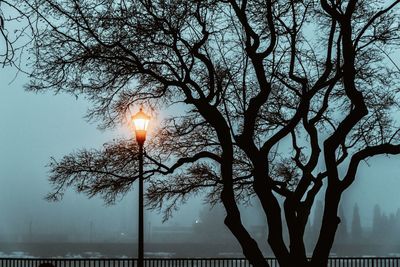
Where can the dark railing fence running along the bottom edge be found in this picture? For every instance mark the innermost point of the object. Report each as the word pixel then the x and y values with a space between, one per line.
pixel 188 262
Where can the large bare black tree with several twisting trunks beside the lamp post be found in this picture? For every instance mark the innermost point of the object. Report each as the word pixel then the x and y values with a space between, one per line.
pixel 277 96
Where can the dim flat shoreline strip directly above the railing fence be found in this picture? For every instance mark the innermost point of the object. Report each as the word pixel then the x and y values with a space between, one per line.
pixel 165 250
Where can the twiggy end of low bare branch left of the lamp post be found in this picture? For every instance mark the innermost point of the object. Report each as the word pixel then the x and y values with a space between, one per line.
pixel 108 172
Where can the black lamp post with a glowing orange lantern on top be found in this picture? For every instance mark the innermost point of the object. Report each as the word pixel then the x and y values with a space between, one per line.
pixel 140 121
